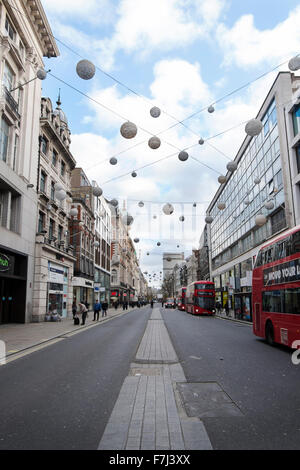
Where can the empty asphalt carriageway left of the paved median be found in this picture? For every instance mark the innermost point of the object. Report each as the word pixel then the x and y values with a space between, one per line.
pixel 61 397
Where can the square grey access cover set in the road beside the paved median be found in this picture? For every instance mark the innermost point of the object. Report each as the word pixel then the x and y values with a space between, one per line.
pixel 207 400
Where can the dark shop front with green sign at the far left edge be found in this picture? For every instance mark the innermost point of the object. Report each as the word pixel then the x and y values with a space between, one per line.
pixel 13 282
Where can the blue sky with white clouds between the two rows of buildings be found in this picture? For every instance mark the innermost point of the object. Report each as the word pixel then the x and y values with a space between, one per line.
pixel 181 56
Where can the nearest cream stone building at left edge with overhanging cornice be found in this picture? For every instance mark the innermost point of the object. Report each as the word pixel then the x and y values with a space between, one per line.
pixel 26 38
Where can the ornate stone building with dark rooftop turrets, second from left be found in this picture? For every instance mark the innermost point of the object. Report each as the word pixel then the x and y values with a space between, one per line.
pixel 54 257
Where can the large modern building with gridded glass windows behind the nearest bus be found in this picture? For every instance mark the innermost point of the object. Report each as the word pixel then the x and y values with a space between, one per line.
pixel 268 170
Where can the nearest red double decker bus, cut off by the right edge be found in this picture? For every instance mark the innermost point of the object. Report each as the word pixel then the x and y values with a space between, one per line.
pixel 276 289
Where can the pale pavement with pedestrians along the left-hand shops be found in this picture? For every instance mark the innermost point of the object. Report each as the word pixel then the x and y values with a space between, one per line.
pixel 18 337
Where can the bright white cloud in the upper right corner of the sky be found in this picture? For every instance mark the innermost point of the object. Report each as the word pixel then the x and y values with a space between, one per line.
pixel 245 45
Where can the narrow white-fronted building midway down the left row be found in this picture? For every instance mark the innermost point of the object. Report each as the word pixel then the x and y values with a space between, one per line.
pixel 103 230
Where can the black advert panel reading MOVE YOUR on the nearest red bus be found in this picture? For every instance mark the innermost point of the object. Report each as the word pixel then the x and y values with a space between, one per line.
pixel 285 272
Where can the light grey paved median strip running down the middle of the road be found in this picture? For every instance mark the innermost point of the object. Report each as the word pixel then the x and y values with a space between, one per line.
pixel 148 414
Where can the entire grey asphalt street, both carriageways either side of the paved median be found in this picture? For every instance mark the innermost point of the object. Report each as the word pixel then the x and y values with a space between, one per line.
pixel 62 396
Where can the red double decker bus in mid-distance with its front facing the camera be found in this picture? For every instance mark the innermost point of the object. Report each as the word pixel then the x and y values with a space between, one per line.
pixel 200 298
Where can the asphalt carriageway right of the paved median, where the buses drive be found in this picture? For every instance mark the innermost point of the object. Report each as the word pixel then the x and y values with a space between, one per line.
pixel 260 380
